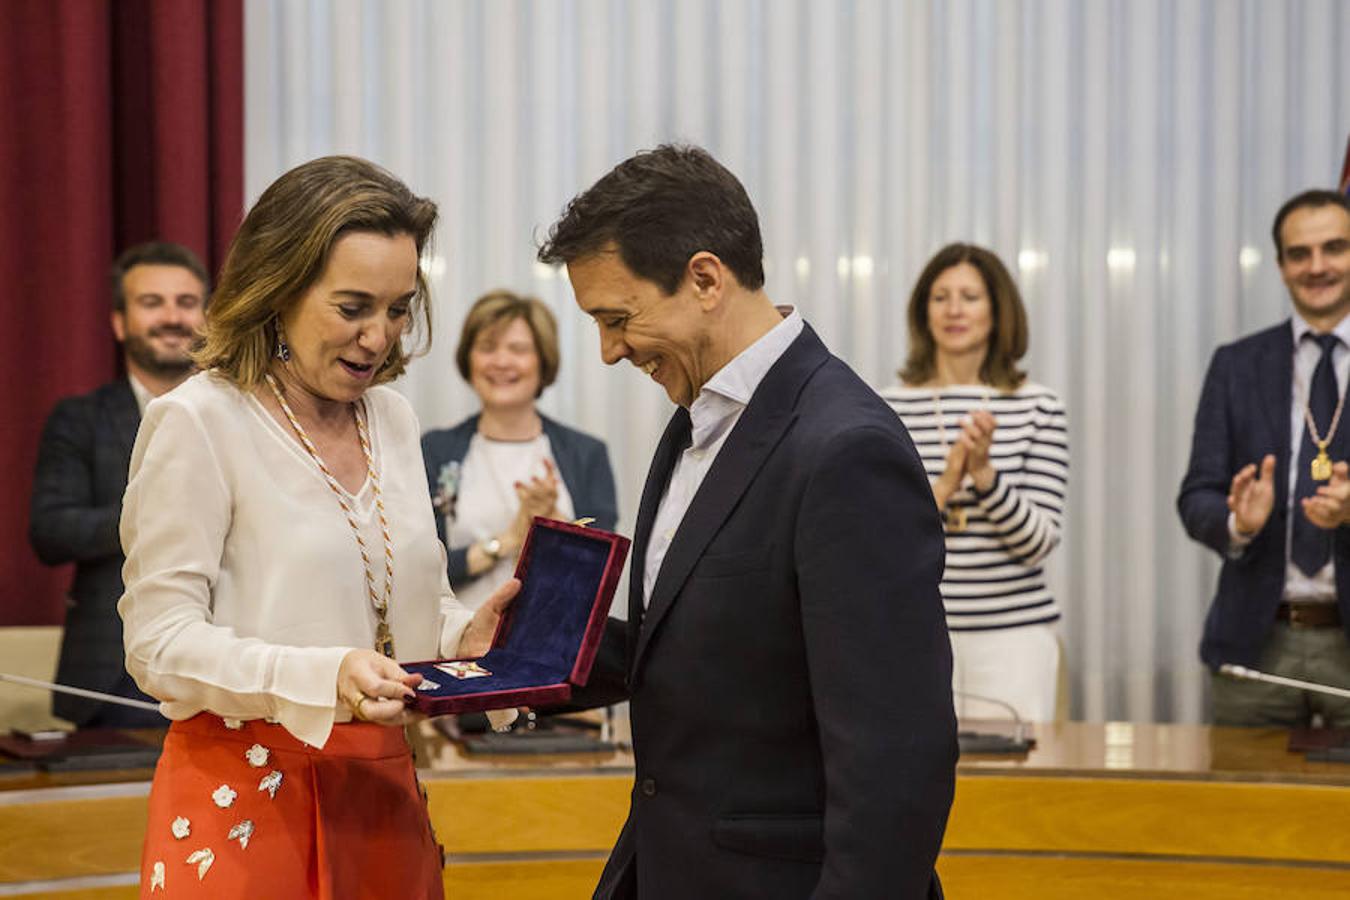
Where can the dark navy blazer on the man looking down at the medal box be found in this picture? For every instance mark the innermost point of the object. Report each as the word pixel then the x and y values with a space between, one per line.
pixel 792 675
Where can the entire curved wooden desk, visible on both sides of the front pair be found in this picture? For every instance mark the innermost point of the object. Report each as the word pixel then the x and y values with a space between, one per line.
pixel 1113 812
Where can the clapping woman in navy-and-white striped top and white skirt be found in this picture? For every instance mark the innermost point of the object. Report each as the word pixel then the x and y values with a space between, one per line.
pixel 996 447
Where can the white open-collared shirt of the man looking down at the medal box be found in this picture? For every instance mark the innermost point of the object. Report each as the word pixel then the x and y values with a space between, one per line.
pixel 713 415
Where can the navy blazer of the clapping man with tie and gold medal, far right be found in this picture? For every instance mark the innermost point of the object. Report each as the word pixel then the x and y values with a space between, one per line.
pixel 1244 415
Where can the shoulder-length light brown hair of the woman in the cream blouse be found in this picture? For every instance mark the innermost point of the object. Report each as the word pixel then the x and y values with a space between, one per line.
pixel 281 250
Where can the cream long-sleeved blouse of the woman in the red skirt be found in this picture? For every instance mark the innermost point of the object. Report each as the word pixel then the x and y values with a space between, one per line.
pixel 245 585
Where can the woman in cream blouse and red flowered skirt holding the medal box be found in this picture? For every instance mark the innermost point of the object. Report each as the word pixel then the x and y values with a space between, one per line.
pixel 281 550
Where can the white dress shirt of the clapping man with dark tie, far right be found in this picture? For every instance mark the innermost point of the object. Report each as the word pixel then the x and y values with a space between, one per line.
pixel 1298 585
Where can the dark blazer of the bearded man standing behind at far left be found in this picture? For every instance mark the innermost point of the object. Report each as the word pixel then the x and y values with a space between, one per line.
pixel 78 488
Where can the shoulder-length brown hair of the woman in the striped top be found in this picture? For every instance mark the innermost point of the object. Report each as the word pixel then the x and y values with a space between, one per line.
pixel 1008 335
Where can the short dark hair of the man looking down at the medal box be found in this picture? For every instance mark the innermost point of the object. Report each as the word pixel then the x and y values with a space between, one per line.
pixel 659 208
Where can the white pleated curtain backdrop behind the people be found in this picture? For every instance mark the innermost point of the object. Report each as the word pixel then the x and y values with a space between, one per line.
pixel 1124 157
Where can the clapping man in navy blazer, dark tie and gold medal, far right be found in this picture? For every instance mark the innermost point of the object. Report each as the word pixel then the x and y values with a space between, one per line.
pixel 1268 486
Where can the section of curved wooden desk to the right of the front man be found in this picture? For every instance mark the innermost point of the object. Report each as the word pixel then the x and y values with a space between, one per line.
pixel 1145 812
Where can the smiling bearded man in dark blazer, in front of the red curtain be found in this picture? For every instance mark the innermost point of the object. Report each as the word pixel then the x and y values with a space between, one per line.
pixel 159 298
